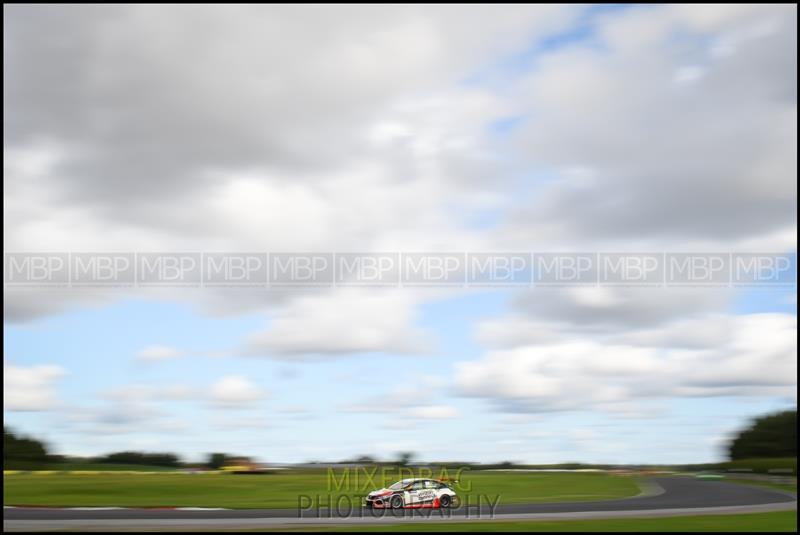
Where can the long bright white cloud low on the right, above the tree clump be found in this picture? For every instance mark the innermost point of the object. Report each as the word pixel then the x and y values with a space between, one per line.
pixel 744 355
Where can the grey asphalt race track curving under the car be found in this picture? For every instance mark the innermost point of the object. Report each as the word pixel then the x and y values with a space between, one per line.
pixel 664 496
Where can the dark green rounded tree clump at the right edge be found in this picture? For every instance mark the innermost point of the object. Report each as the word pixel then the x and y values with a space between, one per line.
pixel 773 435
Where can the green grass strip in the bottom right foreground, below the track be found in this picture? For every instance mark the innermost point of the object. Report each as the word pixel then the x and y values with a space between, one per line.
pixel 756 522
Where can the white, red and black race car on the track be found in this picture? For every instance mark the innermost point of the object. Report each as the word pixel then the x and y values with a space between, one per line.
pixel 413 494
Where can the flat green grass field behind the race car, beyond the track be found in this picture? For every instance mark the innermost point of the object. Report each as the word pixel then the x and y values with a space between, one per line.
pixel 282 490
